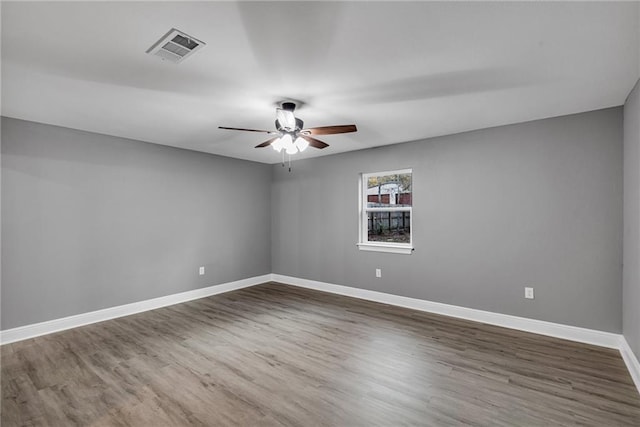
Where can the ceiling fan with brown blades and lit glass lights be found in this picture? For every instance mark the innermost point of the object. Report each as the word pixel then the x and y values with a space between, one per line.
pixel 290 135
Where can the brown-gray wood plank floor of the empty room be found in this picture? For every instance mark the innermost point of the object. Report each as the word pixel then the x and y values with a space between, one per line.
pixel 280 355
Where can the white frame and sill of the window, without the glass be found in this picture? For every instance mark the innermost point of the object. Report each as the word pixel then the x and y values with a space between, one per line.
pixel 364 244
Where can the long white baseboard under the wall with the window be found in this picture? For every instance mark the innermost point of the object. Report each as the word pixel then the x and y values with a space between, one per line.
pixel 573 333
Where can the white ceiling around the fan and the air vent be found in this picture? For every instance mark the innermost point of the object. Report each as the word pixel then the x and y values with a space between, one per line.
pixel 399 71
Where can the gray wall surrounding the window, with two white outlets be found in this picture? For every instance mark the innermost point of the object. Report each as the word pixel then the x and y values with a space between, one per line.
pixel 534 204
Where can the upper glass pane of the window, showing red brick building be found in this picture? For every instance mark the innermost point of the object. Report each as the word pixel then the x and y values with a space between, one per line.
pixel 389 190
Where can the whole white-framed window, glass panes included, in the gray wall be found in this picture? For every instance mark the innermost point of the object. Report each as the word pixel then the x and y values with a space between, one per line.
pixel 385 211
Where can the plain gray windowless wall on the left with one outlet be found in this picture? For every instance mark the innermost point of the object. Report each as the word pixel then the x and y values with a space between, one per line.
pixel 91 221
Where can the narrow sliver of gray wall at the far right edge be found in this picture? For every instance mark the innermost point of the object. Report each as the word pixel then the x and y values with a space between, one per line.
pixel 631 271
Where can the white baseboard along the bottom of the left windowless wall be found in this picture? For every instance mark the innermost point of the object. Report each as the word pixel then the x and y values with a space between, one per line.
pixel 56 325
